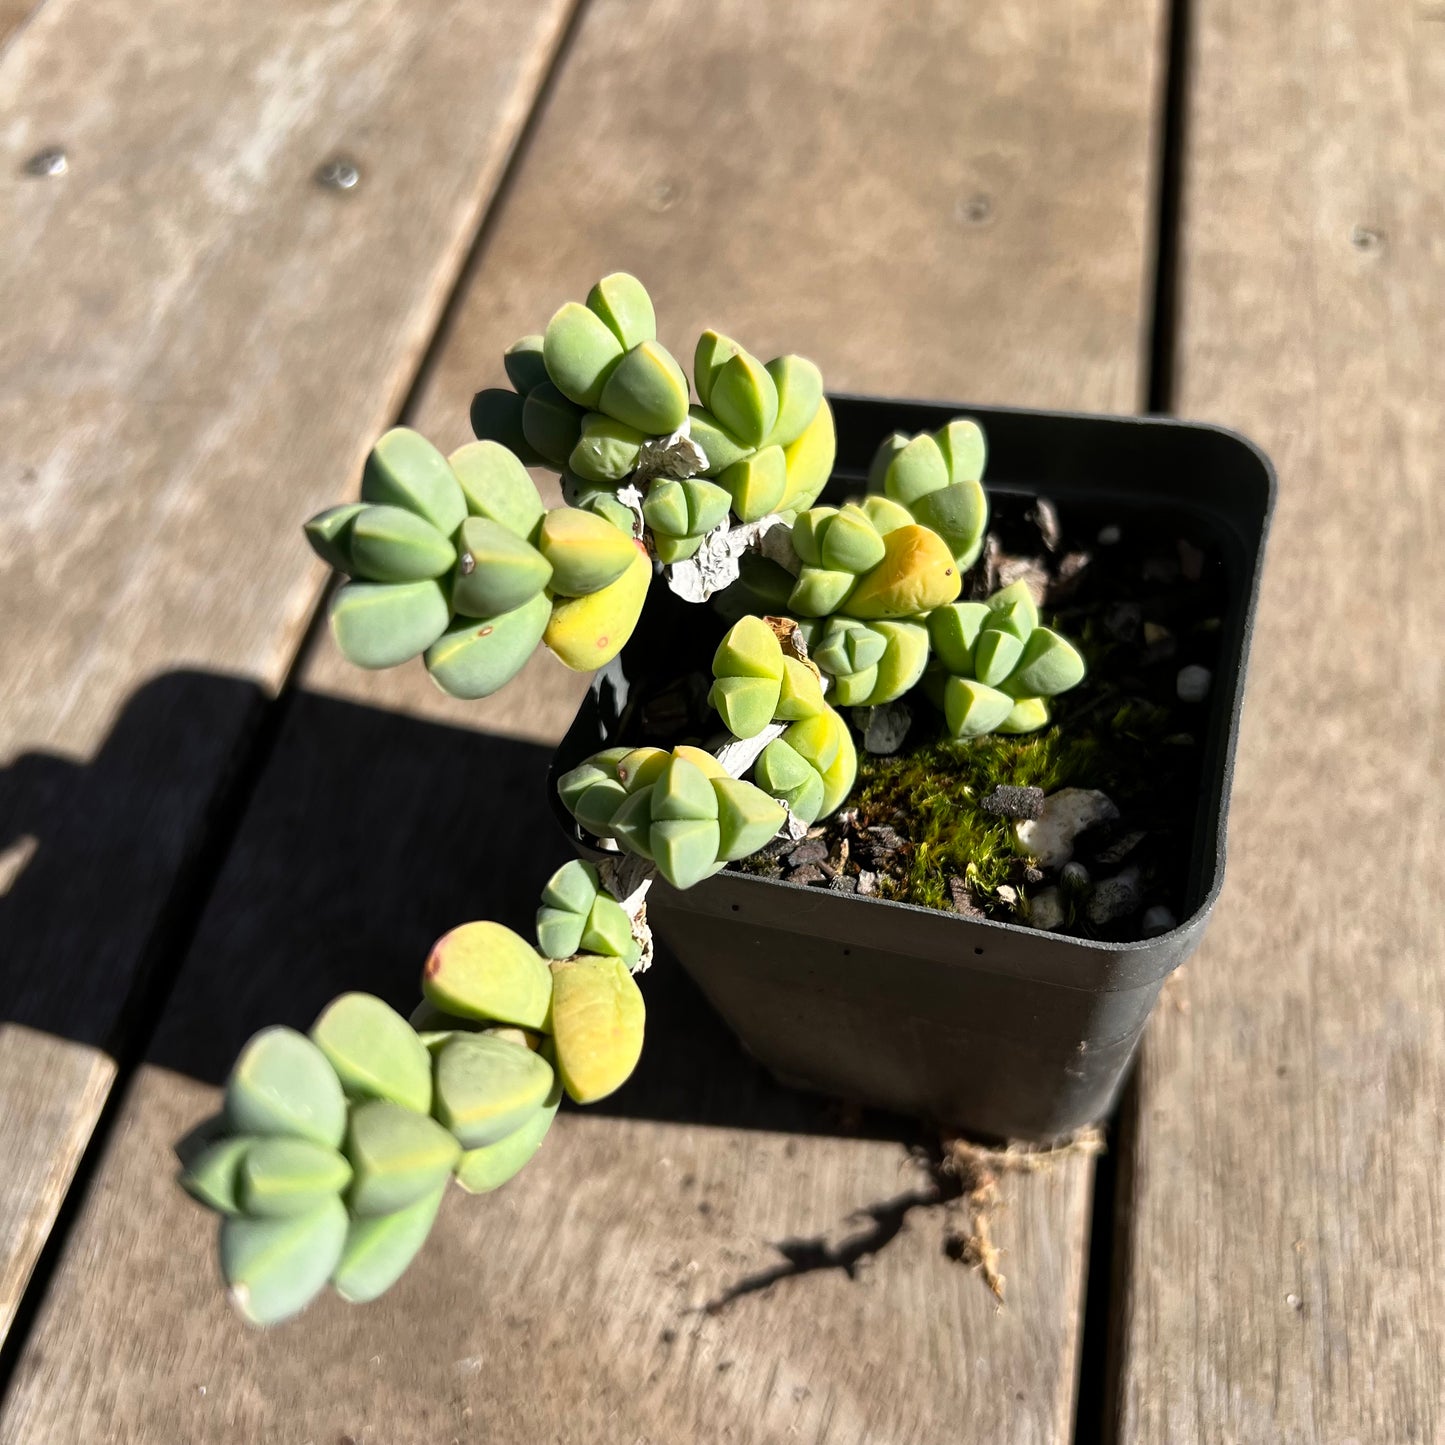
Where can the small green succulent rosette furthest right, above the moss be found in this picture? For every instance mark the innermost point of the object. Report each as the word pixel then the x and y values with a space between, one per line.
pixel 996 665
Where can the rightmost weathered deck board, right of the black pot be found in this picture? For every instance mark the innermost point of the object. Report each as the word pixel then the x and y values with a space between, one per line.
pixel 1287 1213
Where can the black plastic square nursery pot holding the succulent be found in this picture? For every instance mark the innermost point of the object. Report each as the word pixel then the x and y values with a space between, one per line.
pixel 996 1028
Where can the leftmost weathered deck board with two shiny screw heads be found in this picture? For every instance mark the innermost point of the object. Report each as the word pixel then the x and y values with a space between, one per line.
pixel 199 342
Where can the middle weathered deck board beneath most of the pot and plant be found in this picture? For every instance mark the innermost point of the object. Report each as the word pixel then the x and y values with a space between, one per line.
pixel 795 190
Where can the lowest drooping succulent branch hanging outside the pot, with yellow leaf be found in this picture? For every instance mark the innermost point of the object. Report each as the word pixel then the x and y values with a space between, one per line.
pixel 332 1155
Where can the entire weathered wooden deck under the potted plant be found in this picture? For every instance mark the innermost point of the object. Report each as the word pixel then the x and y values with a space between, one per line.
pixel 969 203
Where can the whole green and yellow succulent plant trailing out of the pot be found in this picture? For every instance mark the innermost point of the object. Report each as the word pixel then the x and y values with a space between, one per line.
pixel 333 1152
